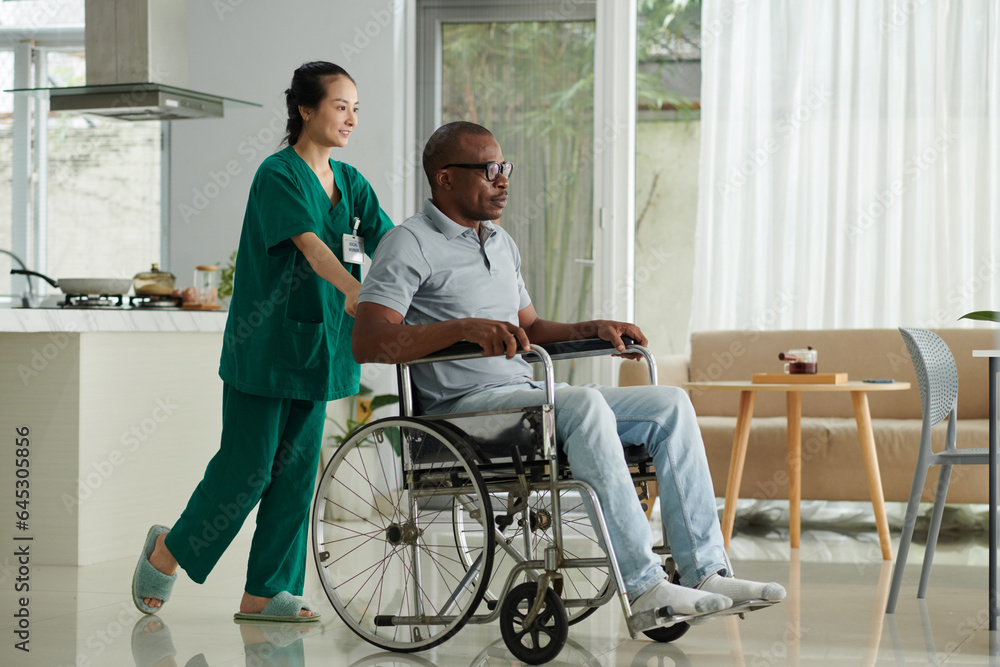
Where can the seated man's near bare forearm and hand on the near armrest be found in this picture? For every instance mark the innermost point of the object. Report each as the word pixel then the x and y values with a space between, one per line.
pixel 381 337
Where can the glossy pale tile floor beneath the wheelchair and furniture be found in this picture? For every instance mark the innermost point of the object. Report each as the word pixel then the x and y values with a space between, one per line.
pixel 833 616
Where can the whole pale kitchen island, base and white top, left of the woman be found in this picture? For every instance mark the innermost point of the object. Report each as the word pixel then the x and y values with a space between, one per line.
pixel 122 410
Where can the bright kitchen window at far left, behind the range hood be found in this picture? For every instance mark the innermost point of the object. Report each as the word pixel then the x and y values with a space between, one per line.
pixel 80 197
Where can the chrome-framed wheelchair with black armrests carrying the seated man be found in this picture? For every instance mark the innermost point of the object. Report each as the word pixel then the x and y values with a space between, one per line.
pixel 439 514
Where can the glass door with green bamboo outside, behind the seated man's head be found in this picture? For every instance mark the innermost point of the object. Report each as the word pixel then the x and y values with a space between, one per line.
pixel 525 72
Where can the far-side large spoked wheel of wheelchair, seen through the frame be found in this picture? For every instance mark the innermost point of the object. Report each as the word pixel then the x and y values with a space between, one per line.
pixel 579 541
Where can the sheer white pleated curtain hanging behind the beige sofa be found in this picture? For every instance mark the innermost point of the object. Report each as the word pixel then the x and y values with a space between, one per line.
pixel 850 164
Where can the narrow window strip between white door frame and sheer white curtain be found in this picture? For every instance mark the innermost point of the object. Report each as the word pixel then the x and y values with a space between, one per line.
pixel 668 146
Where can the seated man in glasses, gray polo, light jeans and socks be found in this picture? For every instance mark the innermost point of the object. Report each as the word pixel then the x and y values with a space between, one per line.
pixel 449 274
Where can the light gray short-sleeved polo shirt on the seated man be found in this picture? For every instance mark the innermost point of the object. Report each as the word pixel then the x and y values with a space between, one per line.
pixel 431 269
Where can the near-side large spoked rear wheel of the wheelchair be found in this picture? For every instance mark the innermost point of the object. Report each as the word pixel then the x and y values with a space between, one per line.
pixel 382 529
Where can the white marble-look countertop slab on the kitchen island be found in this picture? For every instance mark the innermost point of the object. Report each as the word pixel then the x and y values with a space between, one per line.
pixel 37 320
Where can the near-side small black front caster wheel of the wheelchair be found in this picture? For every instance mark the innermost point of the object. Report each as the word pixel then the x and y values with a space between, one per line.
pixel 544 638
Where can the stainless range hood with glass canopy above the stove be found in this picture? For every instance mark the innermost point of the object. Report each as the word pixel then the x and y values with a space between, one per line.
pixel 137 66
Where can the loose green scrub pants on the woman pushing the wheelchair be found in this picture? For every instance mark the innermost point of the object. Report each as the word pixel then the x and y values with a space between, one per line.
pixel 269 454
